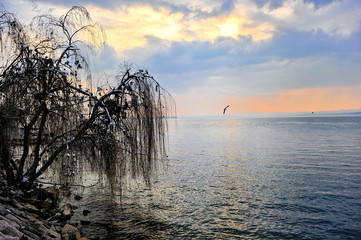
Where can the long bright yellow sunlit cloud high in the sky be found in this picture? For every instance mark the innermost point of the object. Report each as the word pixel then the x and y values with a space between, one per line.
pixel 129 27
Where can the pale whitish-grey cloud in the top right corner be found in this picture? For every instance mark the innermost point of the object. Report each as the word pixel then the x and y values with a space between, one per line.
pixel 336 18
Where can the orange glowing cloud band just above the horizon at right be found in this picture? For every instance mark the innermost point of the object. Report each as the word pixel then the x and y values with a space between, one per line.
pixel 319 99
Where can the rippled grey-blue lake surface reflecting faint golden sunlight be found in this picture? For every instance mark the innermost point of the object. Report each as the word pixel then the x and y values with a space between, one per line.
pixel 238 178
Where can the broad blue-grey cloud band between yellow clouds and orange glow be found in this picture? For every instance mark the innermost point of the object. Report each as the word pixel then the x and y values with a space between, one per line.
pixel 293 60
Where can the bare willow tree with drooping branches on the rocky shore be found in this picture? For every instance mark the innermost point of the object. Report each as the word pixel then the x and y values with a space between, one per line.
pixel 50 110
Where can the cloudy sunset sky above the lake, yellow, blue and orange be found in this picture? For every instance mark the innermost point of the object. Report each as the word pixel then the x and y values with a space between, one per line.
pixel 257 56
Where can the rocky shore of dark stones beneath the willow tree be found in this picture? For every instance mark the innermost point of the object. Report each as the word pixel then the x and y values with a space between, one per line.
pixel 35 214
